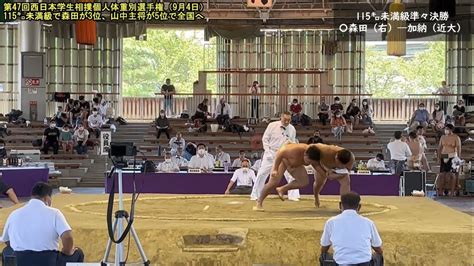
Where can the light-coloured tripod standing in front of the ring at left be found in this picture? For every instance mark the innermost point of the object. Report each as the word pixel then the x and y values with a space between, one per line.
pixel 120 216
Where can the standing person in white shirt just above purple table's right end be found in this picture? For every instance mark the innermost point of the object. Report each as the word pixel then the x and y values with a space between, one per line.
pixel 399 152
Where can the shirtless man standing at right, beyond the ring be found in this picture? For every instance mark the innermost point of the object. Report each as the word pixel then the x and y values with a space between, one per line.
pixel 448 149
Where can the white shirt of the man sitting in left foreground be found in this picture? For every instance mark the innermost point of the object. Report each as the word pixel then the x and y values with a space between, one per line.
pixel 35 227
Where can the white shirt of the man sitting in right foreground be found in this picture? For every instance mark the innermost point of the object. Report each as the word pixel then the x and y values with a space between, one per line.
pixel 352 237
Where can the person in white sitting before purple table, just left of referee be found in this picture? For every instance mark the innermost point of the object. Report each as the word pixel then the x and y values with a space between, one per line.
pixel 244 178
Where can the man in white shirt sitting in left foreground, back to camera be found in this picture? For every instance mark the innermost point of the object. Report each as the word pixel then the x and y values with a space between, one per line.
pixel 37 243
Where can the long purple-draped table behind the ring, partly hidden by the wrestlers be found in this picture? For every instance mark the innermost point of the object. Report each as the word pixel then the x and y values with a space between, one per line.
pixel 216 183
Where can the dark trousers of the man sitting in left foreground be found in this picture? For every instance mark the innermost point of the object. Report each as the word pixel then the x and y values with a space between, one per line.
pixel 39 258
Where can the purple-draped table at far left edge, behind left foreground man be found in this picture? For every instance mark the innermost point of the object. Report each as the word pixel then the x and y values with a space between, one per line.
pixel 22 179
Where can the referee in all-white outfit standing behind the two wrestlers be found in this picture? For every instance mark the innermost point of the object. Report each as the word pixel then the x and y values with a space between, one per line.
pixel 275 136
